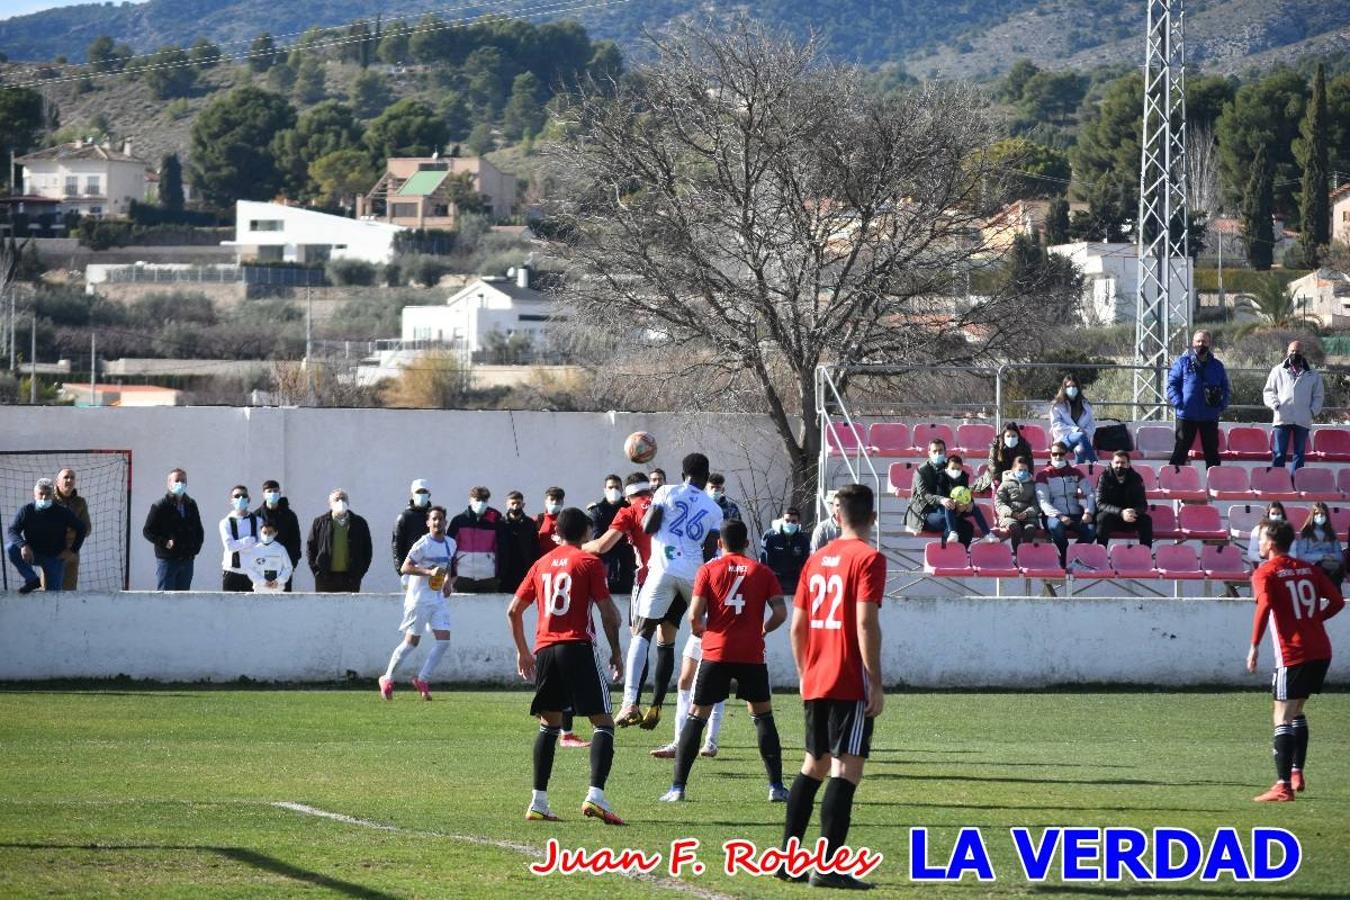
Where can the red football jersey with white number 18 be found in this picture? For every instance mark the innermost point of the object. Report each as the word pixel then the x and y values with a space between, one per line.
pixel 562 586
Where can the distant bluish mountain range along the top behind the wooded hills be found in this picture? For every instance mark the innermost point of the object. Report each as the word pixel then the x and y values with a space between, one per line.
pixel 934 38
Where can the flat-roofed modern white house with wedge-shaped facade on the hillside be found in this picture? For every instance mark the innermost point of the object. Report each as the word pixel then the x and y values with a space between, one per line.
pixel 273 233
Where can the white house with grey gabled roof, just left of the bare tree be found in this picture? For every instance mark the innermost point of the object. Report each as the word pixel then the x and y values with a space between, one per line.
pixel 506 306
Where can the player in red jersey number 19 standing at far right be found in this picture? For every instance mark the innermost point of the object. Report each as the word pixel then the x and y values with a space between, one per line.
pixel 1294 600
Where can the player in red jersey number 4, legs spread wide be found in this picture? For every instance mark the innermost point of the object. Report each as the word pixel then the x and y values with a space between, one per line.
pixel 734 592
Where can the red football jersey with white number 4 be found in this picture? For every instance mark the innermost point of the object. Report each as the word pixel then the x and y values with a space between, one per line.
pixel 738 589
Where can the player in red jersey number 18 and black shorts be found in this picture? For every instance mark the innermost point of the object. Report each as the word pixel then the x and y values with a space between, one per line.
pixel 564 586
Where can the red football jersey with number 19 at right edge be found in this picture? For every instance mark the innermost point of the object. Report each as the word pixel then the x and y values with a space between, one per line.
pixel 1290 596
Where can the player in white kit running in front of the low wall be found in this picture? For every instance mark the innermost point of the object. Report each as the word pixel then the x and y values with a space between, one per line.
pixel 431 581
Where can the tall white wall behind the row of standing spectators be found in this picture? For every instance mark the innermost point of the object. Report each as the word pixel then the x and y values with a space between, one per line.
pixel 375 454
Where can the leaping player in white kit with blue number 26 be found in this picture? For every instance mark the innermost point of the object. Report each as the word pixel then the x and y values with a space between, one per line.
pixel 684 523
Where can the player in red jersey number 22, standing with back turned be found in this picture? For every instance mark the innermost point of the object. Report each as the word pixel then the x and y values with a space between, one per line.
pixel 838 650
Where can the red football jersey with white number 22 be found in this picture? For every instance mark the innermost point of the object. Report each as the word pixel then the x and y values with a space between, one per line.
pixel 835 581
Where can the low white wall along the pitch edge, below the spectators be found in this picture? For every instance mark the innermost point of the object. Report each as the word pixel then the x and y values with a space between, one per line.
pixel 948 643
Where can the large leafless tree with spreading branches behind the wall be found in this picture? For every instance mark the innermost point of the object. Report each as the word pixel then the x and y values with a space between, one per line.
pixel 740 213
